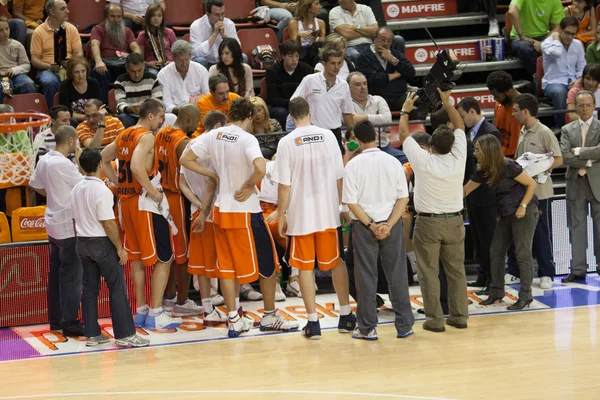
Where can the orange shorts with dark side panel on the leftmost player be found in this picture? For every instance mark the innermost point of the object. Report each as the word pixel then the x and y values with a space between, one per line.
pixel 146 236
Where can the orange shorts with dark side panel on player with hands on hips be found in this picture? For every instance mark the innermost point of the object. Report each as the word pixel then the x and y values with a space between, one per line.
pixel 245 247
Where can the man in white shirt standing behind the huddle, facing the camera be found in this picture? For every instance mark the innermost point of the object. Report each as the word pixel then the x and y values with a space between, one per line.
pixel 328 95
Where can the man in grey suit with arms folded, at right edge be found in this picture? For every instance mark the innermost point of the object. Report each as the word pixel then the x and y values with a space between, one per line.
pixel 580 147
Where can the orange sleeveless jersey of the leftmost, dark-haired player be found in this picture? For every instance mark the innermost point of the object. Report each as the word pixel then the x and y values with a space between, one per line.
pixel 126 142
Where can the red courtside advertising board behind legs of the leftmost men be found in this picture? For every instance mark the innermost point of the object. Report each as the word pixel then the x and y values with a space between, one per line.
pixel 23 286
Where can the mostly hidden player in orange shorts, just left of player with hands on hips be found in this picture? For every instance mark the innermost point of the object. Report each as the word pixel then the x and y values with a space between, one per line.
pixel 200 191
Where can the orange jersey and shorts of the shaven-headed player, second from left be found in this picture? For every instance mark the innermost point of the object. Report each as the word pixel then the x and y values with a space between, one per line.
pixel 167 141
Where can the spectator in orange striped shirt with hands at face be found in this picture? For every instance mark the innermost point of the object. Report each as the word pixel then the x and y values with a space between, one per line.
pixel 98 128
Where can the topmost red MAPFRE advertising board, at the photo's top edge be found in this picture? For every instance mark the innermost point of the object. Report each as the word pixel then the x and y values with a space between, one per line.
pixel 419 8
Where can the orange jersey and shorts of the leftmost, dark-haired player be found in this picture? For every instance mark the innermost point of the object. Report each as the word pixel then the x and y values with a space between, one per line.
pixel 147 236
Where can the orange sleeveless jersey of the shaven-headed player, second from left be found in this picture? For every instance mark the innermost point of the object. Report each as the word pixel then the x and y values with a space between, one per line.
pixel 167 141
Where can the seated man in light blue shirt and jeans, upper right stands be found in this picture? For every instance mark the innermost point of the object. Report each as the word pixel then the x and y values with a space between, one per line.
pixel 564 60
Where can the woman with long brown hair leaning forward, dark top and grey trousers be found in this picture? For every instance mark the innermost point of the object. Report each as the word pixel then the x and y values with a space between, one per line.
pixel 518 212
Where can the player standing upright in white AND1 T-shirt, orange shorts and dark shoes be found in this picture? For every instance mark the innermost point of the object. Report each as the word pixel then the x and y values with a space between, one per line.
pixel 309 160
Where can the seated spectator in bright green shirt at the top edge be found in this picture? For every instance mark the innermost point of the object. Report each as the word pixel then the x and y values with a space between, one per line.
pixel 530 20
